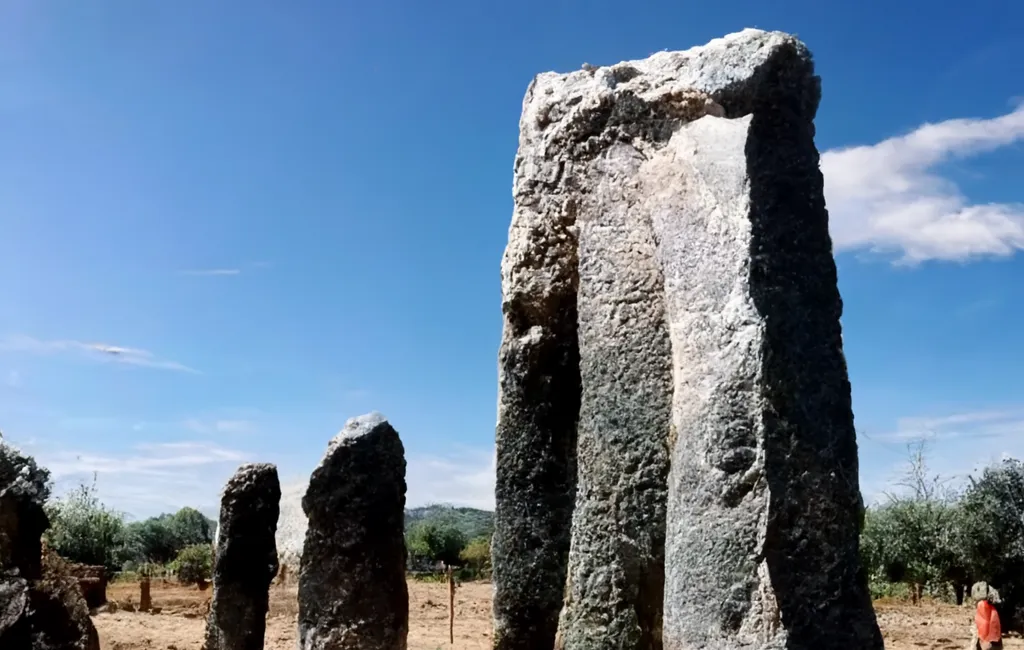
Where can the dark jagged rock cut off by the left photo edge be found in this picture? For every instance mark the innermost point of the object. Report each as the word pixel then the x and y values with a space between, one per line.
pixel 41 605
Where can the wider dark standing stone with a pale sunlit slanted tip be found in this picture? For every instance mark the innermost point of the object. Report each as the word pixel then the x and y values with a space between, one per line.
pixel 353 593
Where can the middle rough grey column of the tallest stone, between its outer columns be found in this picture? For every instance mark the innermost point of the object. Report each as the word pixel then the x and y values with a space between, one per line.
pixel 614 595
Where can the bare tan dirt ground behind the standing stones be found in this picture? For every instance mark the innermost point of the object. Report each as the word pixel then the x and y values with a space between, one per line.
pixel 181 622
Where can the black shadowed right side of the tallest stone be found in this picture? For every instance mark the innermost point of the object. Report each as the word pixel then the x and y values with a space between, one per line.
pixel 813 538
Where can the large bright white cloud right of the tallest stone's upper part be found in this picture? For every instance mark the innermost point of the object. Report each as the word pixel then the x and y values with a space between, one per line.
pixel 888 197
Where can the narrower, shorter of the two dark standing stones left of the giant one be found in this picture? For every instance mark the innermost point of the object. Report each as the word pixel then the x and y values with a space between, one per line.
pixel 246 559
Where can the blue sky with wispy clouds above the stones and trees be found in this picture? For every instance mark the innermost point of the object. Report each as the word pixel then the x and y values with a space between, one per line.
pixel 227 228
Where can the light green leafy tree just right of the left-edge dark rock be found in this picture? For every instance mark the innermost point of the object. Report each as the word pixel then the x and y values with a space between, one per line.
pixel 82 530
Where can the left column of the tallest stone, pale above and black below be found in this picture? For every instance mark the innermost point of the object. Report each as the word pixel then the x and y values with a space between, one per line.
pixel 539 404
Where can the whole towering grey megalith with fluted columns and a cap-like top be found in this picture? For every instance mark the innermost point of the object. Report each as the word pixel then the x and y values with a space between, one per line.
pixel 675 206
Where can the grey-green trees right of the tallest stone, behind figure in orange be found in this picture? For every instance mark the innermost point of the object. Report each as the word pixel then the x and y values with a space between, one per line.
pixel 931 539
